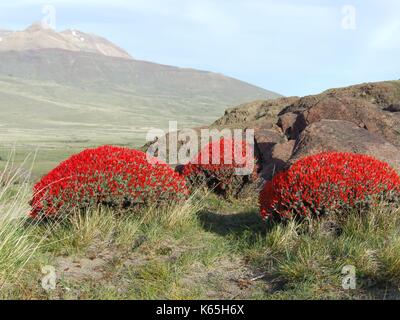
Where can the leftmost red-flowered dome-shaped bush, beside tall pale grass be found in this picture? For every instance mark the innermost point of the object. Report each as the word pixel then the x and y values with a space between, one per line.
pixel 117 177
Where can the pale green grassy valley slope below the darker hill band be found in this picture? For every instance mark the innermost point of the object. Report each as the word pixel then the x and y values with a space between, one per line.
pixel 57 120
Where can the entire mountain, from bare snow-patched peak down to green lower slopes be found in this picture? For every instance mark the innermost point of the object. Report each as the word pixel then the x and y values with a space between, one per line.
pixel 72 85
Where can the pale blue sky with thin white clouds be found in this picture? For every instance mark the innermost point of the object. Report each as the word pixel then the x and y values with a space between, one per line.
pixel 293 47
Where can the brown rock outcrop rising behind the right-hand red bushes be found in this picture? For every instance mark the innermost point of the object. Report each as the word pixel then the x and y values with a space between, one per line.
pixel 361 119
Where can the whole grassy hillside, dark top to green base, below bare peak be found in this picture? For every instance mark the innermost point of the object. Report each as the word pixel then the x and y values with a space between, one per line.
pixel 61 102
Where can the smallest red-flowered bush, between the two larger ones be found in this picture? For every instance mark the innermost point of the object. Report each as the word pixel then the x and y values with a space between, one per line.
pixel 226 166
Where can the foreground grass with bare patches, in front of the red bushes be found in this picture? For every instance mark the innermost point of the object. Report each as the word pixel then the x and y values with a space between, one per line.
pixel 207 248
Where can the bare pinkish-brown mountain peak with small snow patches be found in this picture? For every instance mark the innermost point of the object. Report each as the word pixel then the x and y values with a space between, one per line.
pixel 40 36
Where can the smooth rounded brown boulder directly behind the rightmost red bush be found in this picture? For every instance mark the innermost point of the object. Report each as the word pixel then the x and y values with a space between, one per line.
pixel 344 136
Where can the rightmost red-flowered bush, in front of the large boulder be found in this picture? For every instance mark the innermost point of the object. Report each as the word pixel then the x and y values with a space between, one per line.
pixel 328 182
